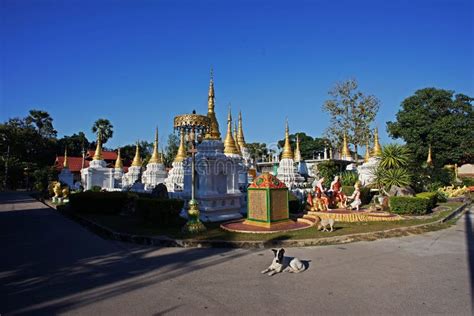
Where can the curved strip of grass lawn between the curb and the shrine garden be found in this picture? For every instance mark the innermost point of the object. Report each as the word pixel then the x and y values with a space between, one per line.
pixel 134 225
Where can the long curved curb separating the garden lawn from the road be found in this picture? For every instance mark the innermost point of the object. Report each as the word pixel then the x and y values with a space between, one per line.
pixel 164 241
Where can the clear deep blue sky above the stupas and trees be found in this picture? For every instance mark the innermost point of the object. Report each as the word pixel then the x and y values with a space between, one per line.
pixel 140 63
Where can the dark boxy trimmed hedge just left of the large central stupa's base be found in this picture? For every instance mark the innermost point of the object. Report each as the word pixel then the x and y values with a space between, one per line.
pixel 161 212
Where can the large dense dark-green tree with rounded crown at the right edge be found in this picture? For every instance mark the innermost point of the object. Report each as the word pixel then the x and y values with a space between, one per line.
pixel 440 118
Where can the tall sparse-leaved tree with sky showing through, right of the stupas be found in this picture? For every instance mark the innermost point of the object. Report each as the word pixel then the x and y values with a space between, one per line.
pixel 352 112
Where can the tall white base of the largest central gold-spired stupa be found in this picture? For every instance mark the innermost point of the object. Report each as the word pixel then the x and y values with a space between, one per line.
pixel 217 182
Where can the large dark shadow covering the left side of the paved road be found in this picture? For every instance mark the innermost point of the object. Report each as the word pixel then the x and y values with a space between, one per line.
pixel 51 265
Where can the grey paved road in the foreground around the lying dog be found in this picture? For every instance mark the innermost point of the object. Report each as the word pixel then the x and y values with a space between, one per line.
pixel 50 265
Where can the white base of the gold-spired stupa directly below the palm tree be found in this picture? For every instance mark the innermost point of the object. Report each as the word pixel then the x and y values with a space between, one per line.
pixel 97 174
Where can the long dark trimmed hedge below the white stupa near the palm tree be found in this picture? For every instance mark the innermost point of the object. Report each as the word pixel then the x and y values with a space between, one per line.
pixel 98 202
